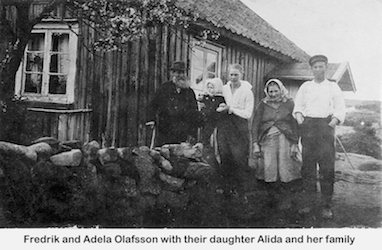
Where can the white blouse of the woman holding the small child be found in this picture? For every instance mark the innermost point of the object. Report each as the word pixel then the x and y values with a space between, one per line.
pixel 242 101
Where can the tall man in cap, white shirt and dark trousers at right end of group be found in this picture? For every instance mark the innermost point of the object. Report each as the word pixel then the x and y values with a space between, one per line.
pixel 319 107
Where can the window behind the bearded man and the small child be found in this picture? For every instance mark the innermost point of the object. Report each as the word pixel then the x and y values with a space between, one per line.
pixel 205 64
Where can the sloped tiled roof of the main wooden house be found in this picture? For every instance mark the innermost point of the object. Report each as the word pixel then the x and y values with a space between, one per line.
pixel 236 17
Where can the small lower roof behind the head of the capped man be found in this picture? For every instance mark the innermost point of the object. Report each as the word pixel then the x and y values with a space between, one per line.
pixel 337 72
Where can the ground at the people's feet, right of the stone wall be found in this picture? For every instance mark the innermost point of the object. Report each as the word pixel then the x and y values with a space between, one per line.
pixel 357 203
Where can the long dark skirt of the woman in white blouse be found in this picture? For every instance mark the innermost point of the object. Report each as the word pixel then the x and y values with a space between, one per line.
pixel 233 146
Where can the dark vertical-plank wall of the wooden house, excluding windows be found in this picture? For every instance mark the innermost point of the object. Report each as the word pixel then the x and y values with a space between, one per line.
pixel 113 89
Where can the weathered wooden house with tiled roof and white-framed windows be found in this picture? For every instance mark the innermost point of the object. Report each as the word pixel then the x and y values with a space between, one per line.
pixel 104 95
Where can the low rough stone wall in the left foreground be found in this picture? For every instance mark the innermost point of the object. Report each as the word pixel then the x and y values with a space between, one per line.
pixel 70 183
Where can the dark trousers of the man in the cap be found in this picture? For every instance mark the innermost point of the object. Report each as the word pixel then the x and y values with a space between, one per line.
pixel 318 147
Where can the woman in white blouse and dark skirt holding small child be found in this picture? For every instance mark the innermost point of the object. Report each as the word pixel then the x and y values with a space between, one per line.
pixel 233 130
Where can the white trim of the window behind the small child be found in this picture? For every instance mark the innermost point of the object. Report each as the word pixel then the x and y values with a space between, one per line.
pixel 207 46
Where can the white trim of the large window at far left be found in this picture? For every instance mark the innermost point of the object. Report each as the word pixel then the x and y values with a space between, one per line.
pixel 67 98
